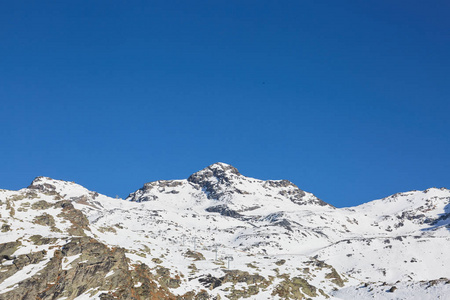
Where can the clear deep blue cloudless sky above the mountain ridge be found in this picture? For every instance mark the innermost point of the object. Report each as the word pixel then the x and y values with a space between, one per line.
pixel 347 99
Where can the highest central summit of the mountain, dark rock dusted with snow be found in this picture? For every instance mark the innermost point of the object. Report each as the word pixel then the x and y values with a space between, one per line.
pixel 220 184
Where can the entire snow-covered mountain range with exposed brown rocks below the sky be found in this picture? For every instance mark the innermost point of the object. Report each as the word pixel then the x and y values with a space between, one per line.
pixel 220 235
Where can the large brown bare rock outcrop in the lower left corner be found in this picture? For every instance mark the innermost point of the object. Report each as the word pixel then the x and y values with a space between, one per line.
pixel 96 267
